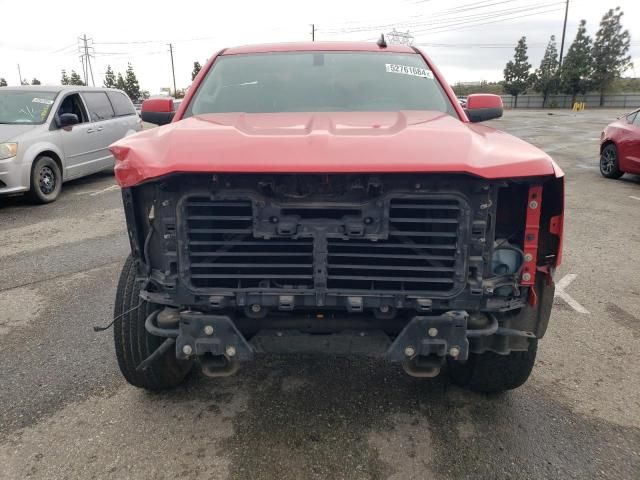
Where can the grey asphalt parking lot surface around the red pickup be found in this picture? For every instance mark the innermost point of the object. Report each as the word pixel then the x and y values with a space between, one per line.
pixel 66 413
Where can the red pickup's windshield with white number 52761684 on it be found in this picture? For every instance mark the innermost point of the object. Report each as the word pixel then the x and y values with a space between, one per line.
pixel 317 82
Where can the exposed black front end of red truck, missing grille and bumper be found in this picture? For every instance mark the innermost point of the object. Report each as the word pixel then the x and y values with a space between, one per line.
pixel 415 268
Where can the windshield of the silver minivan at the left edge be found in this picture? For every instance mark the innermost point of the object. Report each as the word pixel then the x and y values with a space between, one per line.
pixel 27 108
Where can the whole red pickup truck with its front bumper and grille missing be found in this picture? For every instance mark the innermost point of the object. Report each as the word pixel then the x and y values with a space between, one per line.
pixel 333 198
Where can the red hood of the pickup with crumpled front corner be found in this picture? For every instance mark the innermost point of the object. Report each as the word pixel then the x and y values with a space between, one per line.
pixel 342 142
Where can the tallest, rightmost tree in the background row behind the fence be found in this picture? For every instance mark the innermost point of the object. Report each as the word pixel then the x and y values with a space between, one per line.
pixel 610 48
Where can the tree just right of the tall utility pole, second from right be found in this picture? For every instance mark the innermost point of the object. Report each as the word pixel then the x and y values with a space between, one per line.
pixel 575 71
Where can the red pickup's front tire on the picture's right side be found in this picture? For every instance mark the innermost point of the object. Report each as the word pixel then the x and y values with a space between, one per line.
pixel 490 373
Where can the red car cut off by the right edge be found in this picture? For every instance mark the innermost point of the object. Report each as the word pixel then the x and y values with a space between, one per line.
pixel 620 146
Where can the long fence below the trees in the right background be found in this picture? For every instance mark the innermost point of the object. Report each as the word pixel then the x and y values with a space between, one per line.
pixel 628 101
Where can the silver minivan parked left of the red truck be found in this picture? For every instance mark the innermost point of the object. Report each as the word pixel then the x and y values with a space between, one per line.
pixel 49 135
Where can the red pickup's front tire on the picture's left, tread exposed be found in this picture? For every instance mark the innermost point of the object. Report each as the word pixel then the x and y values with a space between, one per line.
pixel 134 344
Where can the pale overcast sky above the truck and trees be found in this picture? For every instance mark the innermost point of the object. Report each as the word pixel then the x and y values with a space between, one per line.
pixel 469 40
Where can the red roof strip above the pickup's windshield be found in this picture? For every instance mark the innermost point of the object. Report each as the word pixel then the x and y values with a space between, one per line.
pixel 317 46
